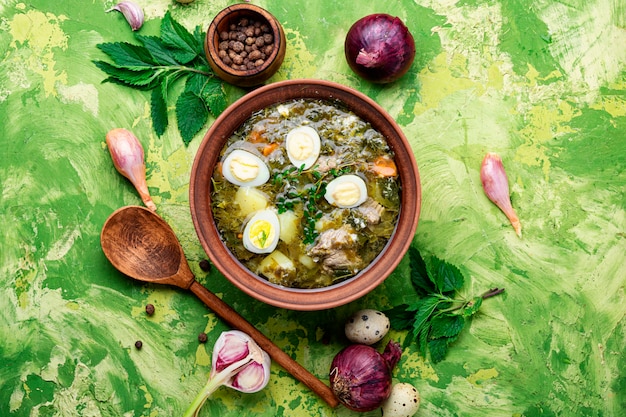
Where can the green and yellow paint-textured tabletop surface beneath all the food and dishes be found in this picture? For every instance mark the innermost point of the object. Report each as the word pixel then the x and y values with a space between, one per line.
pixel 541 83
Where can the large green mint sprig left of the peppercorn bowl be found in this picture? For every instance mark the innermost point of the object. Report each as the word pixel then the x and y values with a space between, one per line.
pixel 157 64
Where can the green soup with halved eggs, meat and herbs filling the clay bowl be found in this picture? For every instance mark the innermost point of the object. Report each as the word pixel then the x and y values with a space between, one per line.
pixel 306 194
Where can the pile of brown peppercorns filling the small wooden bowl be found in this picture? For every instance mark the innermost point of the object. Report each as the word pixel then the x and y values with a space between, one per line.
pixel 246 45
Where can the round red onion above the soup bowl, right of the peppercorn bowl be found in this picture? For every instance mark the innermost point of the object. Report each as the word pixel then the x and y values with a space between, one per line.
pixel 379 48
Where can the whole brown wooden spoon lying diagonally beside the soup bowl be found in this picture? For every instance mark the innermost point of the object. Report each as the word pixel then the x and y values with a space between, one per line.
pixel 143 246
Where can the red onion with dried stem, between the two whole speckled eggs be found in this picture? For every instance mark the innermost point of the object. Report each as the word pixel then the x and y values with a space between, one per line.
pixel 360 376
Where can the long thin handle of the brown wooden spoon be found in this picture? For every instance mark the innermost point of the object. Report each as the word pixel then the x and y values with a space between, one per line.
pixel 230 316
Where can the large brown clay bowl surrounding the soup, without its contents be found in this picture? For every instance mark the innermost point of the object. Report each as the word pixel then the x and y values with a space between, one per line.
pixel 258 287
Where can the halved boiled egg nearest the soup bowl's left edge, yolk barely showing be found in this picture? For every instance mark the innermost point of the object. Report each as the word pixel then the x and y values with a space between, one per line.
pixel 245 169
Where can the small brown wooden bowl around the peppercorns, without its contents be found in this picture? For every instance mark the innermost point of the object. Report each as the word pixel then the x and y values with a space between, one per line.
pixel 232 15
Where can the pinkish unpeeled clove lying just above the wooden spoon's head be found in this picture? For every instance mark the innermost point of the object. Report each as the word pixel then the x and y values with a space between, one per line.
pixel 128 157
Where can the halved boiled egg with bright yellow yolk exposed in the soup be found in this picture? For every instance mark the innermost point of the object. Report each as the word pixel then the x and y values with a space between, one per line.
pixel 261 232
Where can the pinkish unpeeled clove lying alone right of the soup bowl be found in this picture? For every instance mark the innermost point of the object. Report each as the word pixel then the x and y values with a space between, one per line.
pixel 496 187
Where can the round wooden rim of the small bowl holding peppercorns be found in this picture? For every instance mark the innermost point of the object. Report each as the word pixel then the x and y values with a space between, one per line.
pixel 212 34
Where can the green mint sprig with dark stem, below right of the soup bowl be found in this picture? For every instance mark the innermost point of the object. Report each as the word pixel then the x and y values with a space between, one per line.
pixel 435 320
